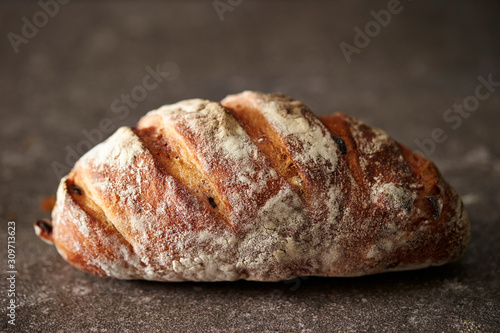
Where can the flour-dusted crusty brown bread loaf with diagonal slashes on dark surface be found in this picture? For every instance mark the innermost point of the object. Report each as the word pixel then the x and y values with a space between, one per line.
pixel 256 187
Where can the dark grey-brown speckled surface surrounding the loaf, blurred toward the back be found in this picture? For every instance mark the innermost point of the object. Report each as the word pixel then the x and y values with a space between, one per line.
pixel 65 78
